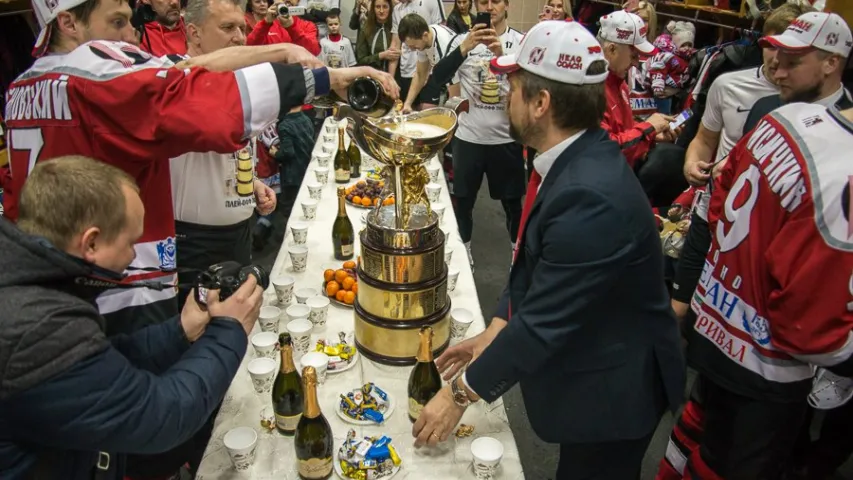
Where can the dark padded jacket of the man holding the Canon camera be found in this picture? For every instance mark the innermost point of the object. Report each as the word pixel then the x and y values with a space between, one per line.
pixel 67 392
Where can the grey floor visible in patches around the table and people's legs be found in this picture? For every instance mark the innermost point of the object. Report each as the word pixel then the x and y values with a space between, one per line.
pixel 492 260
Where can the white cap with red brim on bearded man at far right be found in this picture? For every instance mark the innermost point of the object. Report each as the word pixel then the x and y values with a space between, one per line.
pixel 823 31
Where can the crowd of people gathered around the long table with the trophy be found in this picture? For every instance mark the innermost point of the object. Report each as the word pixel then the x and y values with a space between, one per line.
pixel 147 144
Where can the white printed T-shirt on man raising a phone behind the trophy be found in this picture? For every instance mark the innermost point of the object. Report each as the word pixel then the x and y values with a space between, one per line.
pixel 486 122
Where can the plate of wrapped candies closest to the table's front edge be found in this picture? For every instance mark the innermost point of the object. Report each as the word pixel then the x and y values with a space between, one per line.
pixel 368 458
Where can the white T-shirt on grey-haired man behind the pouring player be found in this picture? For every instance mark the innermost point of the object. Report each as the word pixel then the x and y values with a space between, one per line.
pixel 205 187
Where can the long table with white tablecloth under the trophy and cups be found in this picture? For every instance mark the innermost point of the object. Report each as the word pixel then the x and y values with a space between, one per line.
pixel 275 457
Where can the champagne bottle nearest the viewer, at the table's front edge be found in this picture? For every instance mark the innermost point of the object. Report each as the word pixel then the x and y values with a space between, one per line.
pixel 314 443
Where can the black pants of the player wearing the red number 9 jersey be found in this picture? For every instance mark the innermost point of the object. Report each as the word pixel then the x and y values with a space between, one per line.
pixel 745 438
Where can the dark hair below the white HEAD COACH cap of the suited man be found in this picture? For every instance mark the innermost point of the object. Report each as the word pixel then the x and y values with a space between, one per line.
pixel 572 106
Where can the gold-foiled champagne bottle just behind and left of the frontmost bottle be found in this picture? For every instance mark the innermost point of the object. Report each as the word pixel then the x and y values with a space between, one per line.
pixel 287 395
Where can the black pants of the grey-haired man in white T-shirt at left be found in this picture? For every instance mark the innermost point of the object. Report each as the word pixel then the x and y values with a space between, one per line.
pixel 200 246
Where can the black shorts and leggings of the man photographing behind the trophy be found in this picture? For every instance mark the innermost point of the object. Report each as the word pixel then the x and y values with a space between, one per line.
pixel 503 166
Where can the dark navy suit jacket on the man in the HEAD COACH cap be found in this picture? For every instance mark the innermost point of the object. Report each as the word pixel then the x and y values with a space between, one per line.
pixel 591 338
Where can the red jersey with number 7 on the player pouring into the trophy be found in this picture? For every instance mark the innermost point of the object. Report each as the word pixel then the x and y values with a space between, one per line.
pixel 114 102
